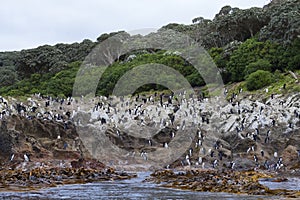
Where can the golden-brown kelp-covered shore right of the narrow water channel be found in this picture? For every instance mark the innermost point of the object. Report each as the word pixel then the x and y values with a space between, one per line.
pixel 238 182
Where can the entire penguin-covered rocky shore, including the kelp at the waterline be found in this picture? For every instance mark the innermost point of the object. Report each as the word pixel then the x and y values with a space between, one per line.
pixel 230 143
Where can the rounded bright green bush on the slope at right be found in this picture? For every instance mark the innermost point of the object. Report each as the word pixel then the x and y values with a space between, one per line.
pixel 259 79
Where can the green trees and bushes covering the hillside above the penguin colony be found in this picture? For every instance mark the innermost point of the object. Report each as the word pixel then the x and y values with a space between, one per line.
pixel 253 45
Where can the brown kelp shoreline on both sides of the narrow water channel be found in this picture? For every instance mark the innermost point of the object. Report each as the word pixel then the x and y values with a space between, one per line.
pixel 215 181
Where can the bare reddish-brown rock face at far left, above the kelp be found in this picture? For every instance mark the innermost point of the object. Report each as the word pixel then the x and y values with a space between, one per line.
pixel 41 140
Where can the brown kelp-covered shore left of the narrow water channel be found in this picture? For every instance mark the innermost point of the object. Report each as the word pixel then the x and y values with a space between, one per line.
pixel 33 179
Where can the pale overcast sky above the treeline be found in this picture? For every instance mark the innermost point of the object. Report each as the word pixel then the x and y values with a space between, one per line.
pixel 30 23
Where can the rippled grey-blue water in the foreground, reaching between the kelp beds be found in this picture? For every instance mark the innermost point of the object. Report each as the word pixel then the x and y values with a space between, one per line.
pixel 125 189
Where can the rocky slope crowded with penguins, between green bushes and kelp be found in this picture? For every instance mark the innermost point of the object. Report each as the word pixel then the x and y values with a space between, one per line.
pixel 176 131
